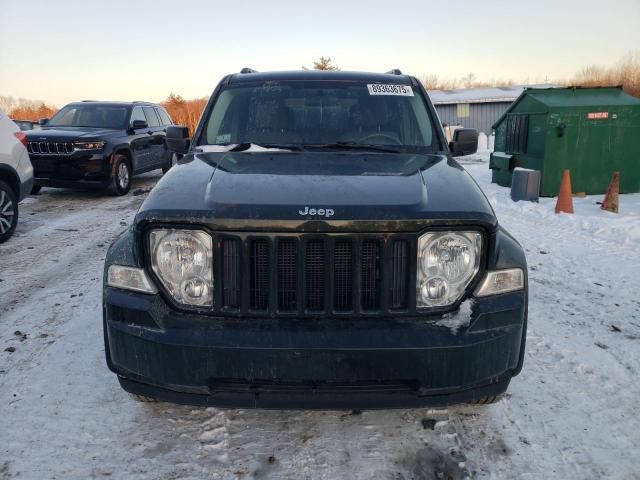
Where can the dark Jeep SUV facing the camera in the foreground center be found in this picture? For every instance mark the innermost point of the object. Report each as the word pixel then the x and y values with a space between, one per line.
pixel 317 247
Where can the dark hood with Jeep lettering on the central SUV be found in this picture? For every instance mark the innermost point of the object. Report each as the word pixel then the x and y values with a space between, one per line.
pixel 325 188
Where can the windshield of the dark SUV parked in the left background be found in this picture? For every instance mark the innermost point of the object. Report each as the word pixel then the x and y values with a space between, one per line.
pixel 102 116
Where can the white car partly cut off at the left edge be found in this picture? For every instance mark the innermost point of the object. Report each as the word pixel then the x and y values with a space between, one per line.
pixel 16 174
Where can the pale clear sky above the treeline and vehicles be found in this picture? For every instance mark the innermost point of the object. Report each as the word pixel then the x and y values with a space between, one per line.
pixel 65 50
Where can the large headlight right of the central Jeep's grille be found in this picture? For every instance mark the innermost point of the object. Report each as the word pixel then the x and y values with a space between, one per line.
pixel 447 262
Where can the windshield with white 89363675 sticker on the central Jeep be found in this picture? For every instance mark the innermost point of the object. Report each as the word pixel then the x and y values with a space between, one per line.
pixel 328 113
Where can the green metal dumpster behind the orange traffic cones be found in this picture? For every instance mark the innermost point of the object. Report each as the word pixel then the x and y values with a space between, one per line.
pixel 591 131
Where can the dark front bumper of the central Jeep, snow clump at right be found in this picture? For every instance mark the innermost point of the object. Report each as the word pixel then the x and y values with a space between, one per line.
pixel 303 363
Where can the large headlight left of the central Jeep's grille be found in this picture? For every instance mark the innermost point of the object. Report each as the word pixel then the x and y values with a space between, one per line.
pixel 183 262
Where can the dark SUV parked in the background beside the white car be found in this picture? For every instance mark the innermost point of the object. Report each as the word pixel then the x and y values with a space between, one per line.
pixel 99 145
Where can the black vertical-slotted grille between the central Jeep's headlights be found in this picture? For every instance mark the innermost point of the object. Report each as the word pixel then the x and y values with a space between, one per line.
pixel 314 275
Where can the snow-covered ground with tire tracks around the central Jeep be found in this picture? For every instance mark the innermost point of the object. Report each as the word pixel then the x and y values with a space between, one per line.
pixel 573 413
